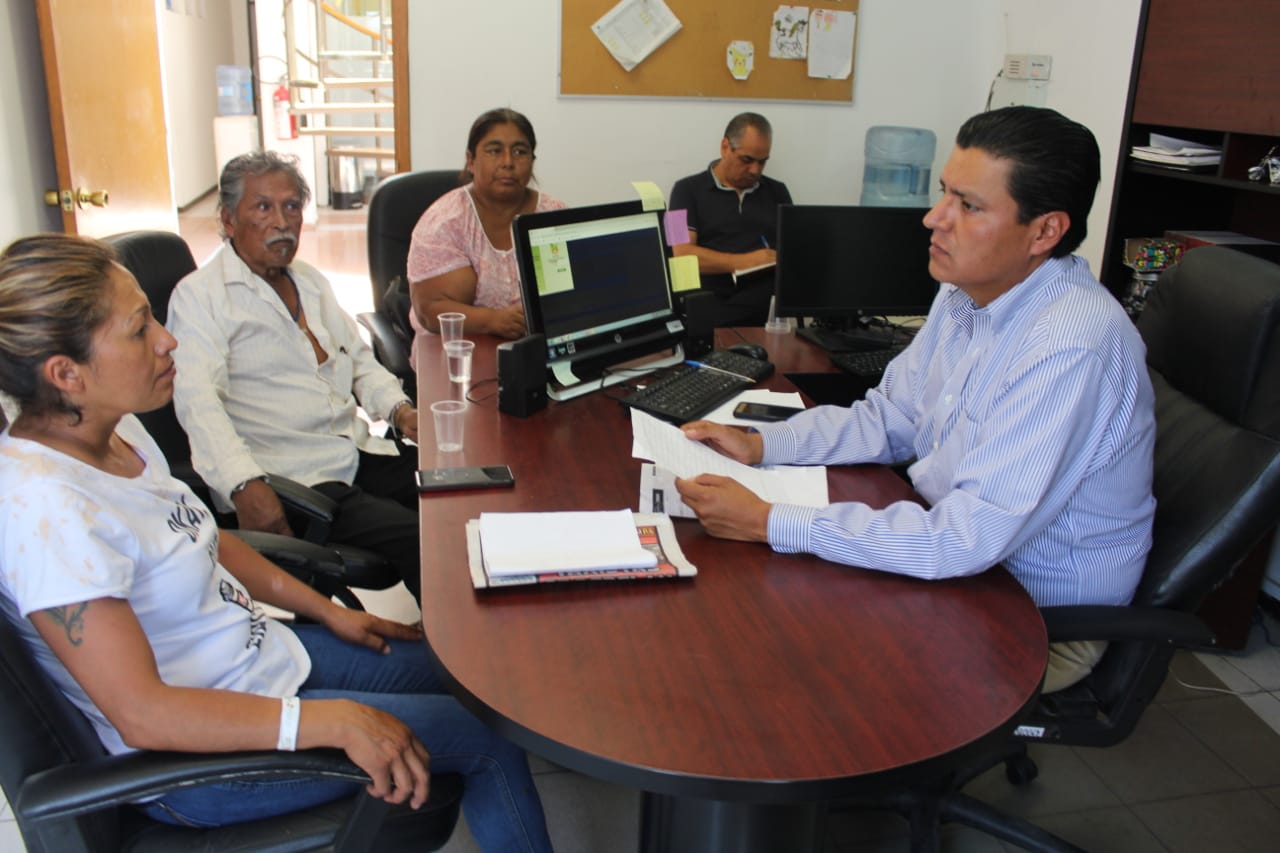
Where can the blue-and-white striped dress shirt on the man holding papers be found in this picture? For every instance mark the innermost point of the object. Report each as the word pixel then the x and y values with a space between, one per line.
pixel 1032 425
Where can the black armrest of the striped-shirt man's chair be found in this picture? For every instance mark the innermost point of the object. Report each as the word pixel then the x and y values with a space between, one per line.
pixel 1126 623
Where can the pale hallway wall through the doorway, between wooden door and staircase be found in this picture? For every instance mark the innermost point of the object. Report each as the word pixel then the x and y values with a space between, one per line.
pixel 195 40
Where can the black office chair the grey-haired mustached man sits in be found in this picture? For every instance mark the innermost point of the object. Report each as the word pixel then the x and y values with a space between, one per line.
pixel 159 261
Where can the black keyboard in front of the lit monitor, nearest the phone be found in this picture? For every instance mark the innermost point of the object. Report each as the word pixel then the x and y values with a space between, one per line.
pixel 689 393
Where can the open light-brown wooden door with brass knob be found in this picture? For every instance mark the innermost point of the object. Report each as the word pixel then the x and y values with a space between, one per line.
pixel 107 112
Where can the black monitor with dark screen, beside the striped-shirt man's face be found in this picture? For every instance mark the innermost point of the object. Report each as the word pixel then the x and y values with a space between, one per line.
pixel 840 264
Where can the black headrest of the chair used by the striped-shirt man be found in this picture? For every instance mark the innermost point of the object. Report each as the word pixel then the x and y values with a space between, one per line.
pixel 1213 330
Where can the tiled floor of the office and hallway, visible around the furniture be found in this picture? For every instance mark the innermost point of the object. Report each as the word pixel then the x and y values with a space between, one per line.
pixel 1201 773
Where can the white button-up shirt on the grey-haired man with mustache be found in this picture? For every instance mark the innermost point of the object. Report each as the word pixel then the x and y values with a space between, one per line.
pixel 249 391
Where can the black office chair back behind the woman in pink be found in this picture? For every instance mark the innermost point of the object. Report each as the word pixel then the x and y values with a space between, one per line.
pixel 395 208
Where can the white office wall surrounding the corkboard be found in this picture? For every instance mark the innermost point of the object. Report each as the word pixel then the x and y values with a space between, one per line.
pixel 921 63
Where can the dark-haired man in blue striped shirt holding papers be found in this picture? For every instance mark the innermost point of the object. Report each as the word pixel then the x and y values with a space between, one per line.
pixel 1025 402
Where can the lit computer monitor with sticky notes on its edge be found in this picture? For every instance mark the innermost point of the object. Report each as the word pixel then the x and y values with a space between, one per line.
pixel 597 286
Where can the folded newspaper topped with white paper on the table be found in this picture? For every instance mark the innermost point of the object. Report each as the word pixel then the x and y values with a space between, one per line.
pixel 513 549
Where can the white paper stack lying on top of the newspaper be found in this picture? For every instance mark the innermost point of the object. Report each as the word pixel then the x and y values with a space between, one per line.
pixel 532 544
